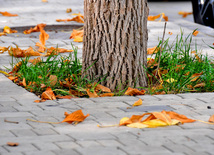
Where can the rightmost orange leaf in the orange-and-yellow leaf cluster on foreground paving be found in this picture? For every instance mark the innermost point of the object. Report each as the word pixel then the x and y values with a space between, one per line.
pixel 181 118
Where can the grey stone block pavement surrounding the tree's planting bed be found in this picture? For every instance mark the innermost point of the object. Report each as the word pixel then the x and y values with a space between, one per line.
pixel 16 104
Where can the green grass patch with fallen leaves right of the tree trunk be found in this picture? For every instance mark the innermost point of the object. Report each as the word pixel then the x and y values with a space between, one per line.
pixel 180 65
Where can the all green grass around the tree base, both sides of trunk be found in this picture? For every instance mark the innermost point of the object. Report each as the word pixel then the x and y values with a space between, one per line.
pixel 175 75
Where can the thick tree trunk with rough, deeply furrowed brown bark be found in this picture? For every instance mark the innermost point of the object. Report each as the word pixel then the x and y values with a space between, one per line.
pixel 115 40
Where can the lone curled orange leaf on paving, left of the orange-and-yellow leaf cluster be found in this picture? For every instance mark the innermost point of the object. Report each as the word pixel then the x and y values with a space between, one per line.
pixel 76 116
